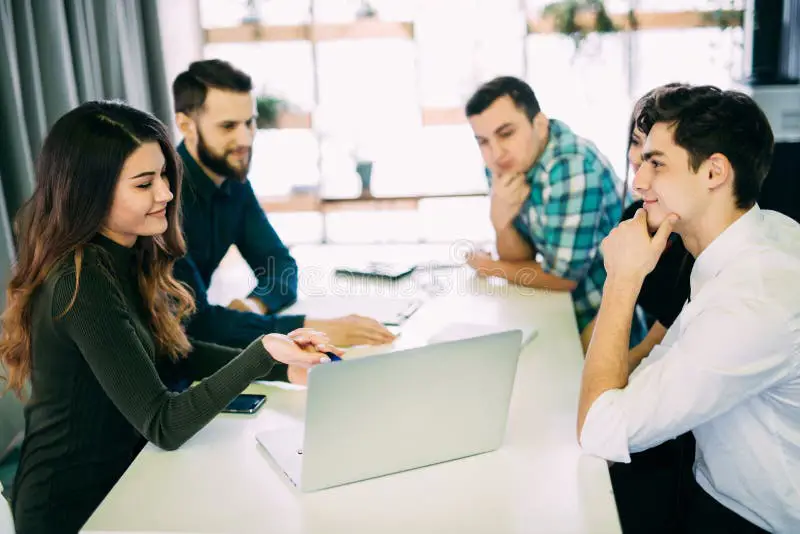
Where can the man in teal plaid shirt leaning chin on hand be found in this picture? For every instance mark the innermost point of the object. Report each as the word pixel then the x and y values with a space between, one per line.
pixel 553 194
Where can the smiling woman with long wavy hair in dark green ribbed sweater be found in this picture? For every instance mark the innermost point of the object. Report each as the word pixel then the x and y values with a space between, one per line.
pixel 94 318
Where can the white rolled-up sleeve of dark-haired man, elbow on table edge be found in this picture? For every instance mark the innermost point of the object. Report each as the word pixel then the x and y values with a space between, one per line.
pixel 724 356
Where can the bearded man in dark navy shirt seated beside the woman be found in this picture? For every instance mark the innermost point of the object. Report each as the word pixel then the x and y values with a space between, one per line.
pixel 215 111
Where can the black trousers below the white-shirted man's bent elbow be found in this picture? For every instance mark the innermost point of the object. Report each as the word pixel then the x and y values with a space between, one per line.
pixel 657 494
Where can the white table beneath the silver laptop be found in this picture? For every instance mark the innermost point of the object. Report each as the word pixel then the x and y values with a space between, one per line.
pixel 222 481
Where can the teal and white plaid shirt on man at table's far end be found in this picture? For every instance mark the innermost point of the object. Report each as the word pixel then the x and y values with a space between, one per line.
pixel 575 202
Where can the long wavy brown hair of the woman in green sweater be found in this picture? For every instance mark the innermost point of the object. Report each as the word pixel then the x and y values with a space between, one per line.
pixel 76 176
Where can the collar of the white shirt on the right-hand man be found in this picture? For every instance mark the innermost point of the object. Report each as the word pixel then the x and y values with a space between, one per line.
pixel 723 249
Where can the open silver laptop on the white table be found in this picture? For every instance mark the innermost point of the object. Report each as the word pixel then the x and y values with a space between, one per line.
pixel 387 413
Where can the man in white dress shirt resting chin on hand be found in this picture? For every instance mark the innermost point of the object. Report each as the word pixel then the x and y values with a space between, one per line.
pixel 729 367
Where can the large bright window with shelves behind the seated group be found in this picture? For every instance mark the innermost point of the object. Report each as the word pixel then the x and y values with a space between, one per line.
pixel 390 89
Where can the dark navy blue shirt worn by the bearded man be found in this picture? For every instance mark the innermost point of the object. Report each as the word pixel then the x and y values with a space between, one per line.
pixel 214 218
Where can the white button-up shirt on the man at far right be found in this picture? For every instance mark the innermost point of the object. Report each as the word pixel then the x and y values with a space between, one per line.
pixel 728 370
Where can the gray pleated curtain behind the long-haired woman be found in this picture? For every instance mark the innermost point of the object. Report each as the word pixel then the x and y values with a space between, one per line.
pixel 55 54
